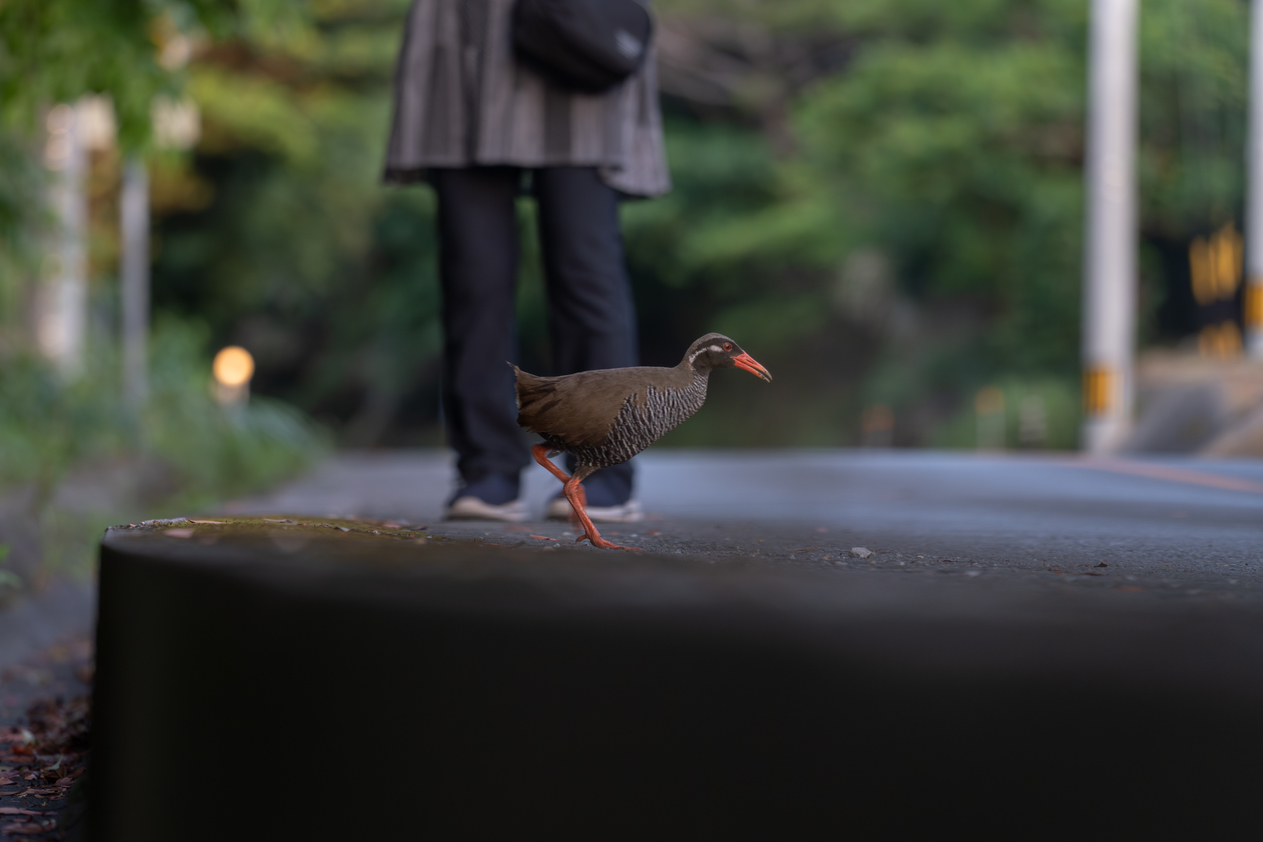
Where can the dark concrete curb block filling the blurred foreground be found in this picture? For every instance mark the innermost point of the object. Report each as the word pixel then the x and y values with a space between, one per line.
pixel 374 685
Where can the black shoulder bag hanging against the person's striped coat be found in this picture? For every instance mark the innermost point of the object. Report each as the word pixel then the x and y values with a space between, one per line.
pixel 588 46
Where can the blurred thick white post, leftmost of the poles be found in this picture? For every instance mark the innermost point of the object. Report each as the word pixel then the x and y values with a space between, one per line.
pixel 61 316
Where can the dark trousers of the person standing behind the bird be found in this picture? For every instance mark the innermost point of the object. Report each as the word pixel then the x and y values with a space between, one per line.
pixel 593 317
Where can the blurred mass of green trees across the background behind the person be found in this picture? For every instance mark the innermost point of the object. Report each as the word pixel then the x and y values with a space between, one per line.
pixel 881 199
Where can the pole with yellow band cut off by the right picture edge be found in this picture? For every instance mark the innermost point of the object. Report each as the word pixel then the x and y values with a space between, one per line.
pixel 1255 193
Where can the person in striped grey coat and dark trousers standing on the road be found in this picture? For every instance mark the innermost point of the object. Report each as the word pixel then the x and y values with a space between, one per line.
pixel 481 127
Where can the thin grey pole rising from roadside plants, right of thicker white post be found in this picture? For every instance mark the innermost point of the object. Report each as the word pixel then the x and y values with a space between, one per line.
pixel 135 294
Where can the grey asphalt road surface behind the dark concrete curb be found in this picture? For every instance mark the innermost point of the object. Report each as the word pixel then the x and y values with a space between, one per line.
pixel 1179 527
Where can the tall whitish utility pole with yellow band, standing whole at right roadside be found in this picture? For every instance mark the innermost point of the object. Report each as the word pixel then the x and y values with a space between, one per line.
pixel 1111 237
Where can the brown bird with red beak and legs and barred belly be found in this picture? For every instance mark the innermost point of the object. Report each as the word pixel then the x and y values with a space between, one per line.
pixel 608 416
